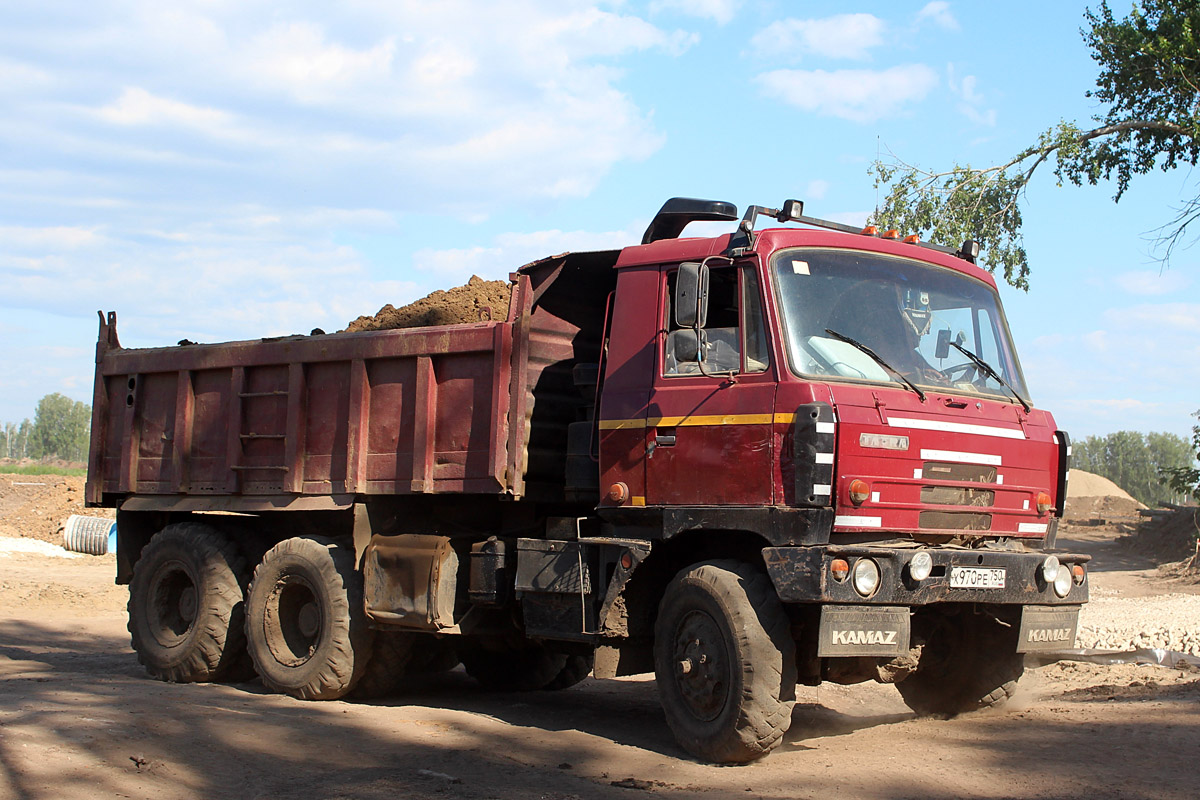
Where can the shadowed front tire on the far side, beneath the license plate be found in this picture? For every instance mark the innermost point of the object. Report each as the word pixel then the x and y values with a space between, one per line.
pixel 969 663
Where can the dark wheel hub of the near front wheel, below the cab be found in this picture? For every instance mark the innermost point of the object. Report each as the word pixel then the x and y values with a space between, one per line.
pixel 704 666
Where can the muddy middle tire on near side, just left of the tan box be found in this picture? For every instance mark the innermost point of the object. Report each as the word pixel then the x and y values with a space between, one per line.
pixel 307 629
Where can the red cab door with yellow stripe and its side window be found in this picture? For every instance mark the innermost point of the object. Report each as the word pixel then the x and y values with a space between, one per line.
pixel 710 422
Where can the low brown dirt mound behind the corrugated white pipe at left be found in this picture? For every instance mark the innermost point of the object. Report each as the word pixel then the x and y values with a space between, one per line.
pixel 38 507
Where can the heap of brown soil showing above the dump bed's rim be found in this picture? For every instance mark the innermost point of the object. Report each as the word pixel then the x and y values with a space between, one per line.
pixel 478 300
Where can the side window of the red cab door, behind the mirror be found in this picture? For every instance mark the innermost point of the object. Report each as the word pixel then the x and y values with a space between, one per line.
pixel 733 328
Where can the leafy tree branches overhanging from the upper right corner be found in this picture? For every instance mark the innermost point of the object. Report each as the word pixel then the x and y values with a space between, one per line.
pixel 1149 86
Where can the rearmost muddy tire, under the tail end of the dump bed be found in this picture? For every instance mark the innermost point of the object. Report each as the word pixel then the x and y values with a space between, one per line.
pixel 187 604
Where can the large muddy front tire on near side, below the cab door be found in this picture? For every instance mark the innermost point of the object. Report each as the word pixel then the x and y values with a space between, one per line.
pixel 725 663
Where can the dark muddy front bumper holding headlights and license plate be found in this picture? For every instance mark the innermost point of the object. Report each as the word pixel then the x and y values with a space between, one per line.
pixel 802 575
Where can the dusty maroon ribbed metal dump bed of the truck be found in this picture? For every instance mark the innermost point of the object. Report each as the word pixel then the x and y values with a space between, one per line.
pixel 417 411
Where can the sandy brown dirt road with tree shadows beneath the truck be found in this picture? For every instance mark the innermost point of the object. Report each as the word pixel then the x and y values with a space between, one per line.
pixel 80 720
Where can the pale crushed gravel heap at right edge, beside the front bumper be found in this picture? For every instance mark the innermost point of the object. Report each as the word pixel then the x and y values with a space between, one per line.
pixel 1169 622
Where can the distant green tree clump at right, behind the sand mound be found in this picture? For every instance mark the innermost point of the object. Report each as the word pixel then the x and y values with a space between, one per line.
pixel 1136 462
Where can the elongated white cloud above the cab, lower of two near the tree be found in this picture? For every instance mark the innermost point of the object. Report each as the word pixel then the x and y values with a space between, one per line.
pixel 855 95
